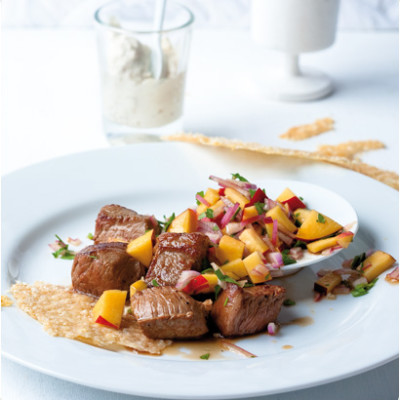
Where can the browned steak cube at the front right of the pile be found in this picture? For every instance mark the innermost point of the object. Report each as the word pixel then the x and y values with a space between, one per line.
pixel 239 312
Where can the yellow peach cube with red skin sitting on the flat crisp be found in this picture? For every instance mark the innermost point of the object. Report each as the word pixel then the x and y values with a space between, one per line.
pixel 109 308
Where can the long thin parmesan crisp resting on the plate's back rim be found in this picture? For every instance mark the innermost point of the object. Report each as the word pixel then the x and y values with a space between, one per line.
pixel 388 177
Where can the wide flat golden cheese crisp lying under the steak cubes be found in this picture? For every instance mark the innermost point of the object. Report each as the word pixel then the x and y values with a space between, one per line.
pixel 65 313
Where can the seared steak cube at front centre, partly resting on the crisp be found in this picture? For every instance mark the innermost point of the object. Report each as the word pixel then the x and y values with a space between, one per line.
pixel 165 313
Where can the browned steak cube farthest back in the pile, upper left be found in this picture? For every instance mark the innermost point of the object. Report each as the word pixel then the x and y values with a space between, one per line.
pixel 119 223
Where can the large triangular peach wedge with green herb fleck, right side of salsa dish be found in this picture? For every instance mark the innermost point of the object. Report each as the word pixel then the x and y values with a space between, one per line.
pixel 316 226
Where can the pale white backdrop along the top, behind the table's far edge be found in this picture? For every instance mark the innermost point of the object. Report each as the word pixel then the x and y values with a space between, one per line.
pixel 354 14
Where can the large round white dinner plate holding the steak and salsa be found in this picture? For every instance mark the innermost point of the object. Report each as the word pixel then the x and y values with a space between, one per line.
pixel 318 342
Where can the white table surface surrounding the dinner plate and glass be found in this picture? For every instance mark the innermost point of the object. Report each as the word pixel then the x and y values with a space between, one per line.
pixel 51 107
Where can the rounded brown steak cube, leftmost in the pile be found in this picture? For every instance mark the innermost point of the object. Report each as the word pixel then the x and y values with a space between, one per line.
pixel 104 266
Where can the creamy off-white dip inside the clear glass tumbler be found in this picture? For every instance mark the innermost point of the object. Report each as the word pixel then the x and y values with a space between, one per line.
pixel 131 95
